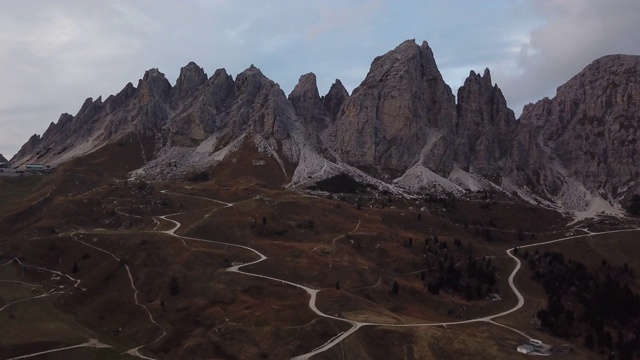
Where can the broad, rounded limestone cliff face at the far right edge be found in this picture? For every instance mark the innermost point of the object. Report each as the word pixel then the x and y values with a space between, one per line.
pixel 588 131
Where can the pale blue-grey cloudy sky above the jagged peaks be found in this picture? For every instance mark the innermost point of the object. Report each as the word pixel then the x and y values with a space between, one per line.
pixel 55 54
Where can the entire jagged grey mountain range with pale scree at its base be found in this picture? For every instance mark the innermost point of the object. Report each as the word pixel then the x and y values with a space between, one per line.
pixel 401 130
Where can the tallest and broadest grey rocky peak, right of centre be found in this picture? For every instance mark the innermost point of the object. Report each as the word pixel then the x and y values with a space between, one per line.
pixel 402 105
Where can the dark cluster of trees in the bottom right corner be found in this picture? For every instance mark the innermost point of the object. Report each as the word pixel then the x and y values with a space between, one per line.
pixel 596 306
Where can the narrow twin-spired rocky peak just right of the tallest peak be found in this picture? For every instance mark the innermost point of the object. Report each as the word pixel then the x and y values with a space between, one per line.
pixel 485 126
